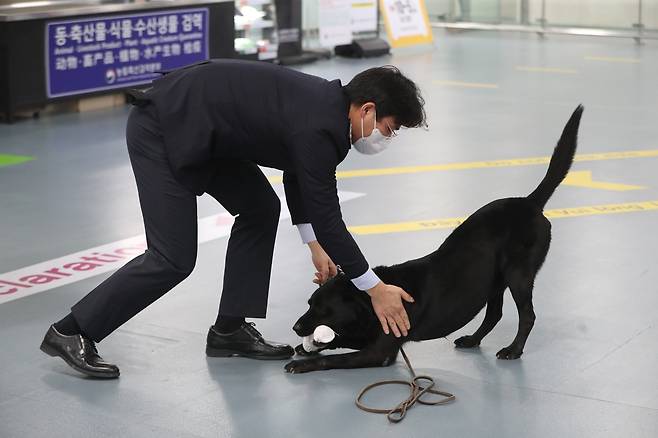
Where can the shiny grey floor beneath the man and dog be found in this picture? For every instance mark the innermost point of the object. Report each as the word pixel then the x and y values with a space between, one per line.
pixel 589 366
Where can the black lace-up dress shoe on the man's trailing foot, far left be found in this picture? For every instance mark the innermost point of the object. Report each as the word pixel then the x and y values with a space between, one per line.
pixel 79 352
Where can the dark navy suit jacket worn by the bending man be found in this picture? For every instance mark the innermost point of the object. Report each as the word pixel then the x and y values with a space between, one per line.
pixel 271 116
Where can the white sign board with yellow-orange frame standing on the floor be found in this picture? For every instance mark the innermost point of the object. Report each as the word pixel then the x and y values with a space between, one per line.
pixel 406 22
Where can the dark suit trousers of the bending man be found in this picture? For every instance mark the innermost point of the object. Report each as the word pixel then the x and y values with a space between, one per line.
pixel 170 221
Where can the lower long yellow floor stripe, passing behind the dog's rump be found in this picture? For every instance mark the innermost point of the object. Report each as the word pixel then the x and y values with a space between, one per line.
pixel 433 224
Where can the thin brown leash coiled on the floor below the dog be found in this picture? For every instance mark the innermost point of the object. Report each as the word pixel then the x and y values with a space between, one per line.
pixel 417 391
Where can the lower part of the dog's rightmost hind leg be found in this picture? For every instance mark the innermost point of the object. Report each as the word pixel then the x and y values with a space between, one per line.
pixel 521 285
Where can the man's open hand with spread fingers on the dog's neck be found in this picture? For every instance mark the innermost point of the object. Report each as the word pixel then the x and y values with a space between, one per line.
pixel 387 302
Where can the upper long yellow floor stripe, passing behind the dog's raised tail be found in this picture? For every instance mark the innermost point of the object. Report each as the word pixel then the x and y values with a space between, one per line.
pixel 483 164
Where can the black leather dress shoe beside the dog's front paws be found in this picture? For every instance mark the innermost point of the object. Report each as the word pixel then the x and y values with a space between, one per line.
pixel 245 342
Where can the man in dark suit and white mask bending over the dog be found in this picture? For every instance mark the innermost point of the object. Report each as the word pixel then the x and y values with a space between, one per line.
pixel 206 128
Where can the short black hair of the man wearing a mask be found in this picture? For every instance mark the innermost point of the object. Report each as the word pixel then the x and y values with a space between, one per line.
pixel 393 94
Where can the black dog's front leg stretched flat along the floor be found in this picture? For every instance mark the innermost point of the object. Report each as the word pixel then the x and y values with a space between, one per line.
pixel 380 354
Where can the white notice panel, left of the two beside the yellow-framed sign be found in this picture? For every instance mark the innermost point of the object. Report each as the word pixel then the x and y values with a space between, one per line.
pixel 333 26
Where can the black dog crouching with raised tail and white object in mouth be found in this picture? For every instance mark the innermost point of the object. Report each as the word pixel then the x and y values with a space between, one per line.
pixel 502 245
